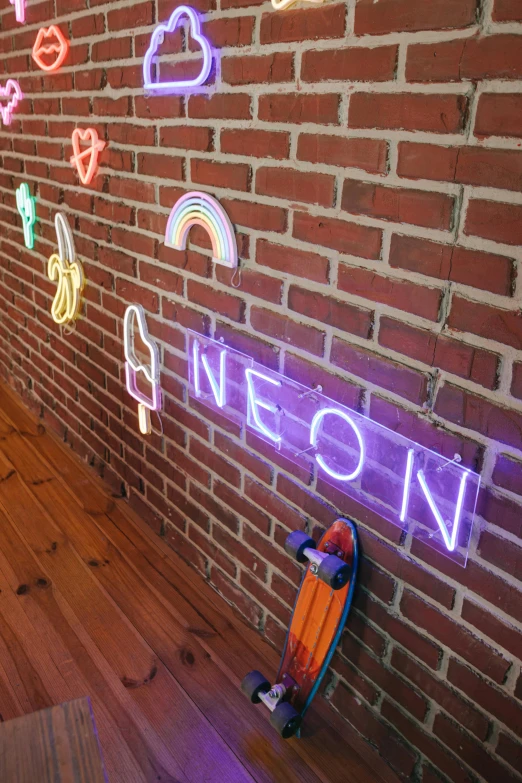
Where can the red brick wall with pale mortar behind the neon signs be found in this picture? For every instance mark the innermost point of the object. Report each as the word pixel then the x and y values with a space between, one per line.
pixel 369 155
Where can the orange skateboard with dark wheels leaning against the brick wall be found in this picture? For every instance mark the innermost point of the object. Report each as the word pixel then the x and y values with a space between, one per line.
pixel 319 616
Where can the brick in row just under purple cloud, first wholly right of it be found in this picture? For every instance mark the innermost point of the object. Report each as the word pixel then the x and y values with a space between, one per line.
pixel 297 108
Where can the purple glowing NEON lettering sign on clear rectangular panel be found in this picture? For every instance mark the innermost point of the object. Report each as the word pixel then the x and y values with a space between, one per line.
pixel 423 492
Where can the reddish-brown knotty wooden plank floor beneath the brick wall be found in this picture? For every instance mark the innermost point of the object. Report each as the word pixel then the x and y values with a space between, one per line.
pixel 93 603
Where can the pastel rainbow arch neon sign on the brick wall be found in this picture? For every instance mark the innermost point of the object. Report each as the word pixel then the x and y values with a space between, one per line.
pixel 200 209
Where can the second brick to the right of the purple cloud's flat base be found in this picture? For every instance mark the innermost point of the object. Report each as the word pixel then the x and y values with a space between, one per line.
pixel 356 64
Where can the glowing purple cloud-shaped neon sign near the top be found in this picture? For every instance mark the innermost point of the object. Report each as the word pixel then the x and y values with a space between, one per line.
pixel 158 37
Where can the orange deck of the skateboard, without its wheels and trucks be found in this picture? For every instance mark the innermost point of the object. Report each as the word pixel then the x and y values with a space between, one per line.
pixel 318 618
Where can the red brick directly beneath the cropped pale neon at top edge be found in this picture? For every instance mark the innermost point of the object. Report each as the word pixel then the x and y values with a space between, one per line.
pixel 324 22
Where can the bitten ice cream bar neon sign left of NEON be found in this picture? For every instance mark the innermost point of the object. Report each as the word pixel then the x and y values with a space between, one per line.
pixel 150 371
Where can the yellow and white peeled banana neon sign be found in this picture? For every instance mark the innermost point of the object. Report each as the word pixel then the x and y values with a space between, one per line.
pixel 66 271
